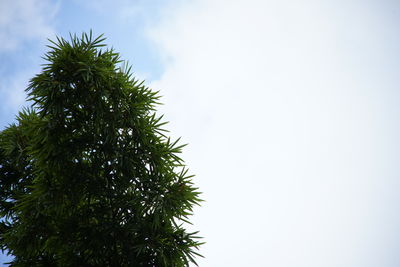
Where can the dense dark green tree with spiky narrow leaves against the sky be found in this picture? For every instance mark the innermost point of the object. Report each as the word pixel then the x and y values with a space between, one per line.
pixel 87 174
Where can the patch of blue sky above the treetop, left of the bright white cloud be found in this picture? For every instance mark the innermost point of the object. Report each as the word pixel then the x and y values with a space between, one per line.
pixel 21 51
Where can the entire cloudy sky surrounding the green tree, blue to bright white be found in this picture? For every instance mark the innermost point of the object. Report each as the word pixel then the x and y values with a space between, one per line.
pixel 290 109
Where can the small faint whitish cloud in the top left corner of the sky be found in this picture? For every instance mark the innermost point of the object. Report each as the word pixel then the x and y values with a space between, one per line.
pixel 24 20
